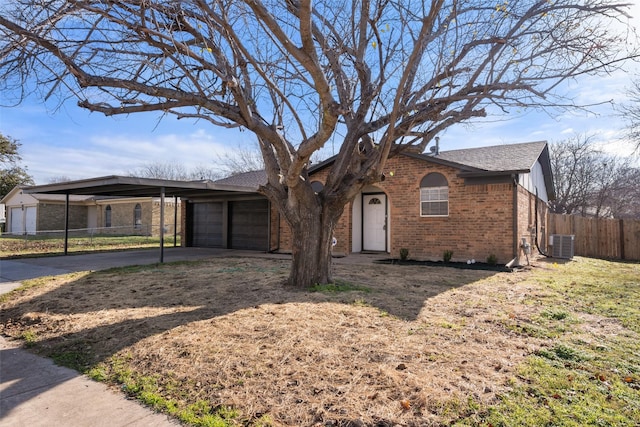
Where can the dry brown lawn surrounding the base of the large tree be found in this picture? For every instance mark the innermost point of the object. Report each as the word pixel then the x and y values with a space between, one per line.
pixel 412 348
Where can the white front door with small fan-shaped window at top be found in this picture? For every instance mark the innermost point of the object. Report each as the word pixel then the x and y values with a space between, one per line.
pixel 374 222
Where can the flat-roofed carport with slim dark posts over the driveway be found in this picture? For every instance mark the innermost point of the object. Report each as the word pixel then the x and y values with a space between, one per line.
pixel 125 186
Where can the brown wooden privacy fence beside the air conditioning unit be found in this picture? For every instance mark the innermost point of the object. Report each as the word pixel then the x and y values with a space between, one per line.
pixel 600 237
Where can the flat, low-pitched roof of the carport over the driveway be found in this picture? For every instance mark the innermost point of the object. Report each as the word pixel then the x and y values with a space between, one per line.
pixel 128 186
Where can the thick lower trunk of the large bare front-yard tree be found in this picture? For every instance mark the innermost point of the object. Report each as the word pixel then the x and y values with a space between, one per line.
pixel 312 238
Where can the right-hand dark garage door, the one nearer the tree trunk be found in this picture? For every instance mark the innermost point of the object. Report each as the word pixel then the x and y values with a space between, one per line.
pixel 249 225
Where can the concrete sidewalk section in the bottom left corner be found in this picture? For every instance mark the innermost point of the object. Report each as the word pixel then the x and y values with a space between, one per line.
pixel 36 392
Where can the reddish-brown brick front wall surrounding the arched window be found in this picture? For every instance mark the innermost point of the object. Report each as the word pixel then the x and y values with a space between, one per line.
pixel 480 221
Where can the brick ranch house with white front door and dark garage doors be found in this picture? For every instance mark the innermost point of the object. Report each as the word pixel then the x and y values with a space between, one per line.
pixel 474 202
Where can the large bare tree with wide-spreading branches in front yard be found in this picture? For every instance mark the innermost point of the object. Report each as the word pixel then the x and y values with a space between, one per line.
pixel 373 77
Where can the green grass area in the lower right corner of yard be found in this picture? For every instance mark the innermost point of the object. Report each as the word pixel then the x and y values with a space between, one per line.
pixel 578 378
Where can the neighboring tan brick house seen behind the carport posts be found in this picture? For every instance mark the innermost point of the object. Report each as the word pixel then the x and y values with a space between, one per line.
pixel 36 213
